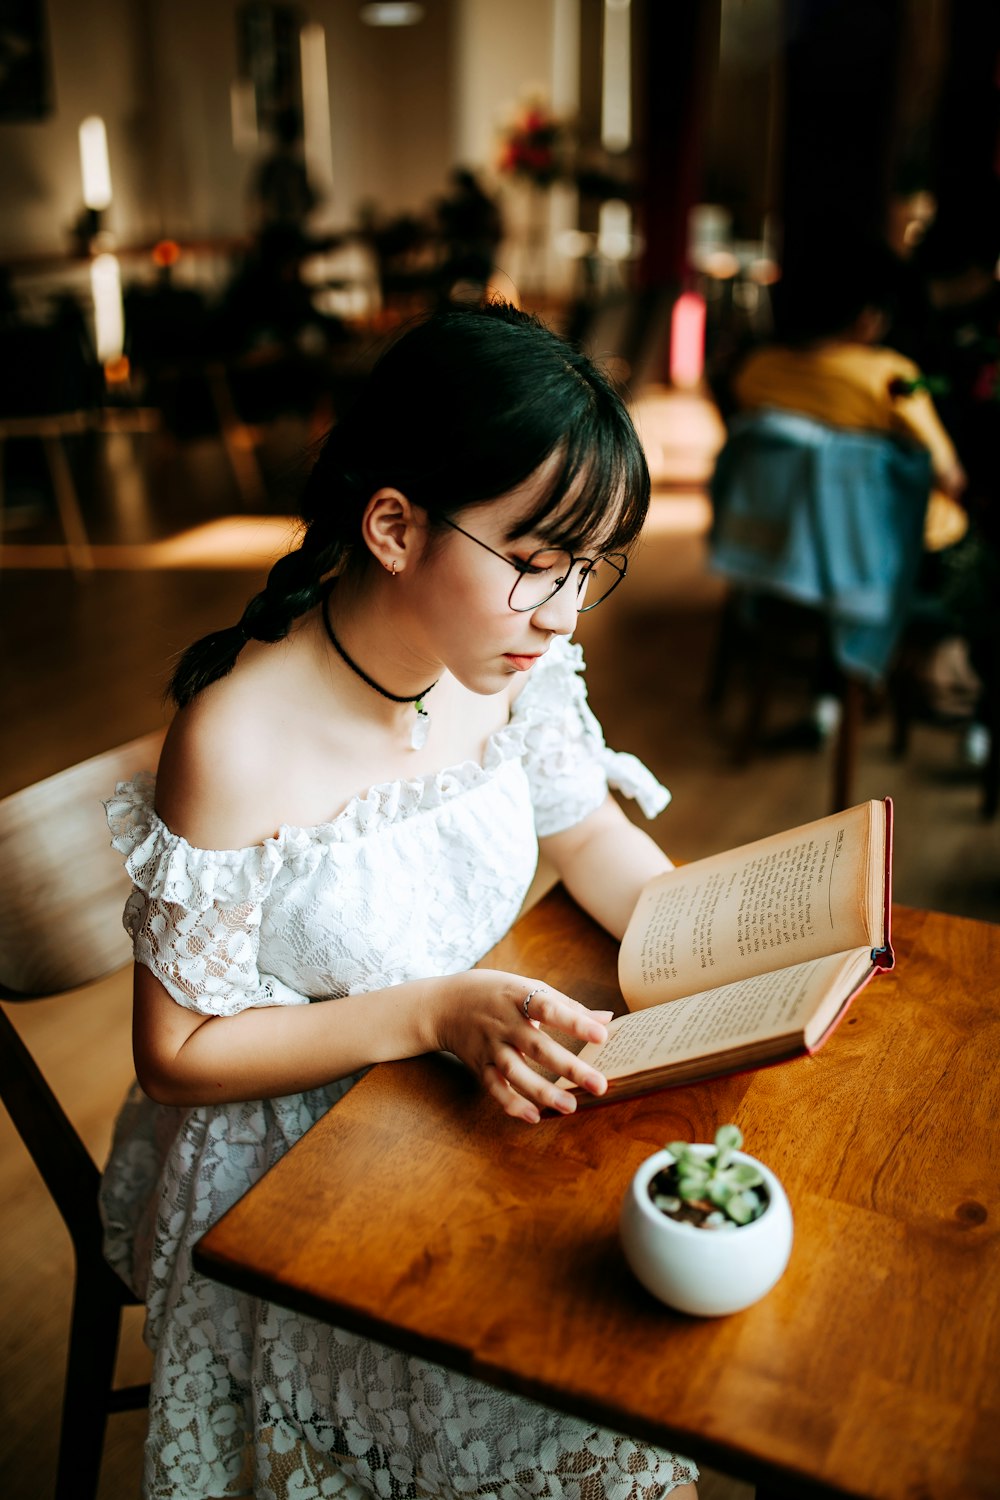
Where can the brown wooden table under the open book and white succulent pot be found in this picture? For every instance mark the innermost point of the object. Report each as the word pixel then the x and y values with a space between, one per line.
pixel 418 1214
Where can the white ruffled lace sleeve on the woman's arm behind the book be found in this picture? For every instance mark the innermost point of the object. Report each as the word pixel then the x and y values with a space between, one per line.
pixel 569 766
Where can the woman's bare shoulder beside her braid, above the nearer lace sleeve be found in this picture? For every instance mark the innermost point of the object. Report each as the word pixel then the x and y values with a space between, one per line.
pixel 217 773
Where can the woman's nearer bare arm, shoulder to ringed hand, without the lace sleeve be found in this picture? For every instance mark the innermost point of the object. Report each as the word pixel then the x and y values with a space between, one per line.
pixel 223 785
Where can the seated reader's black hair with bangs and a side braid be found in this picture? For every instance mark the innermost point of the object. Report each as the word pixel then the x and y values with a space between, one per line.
pixel 463 409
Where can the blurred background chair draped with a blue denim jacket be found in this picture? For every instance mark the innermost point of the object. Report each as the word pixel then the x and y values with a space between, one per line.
pixel 821 535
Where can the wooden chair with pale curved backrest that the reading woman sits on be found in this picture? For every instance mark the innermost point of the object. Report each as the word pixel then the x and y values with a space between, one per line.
pixel 62 893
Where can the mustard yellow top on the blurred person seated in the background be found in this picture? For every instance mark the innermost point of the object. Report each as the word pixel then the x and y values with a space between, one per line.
pixel 848 386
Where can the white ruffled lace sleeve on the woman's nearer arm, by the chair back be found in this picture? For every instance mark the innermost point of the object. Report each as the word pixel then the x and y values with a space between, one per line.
pixel 194 916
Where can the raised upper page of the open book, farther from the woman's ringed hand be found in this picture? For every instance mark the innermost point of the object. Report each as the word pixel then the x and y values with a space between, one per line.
pixel 764 907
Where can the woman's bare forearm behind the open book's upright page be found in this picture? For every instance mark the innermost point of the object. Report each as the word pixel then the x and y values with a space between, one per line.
pixel 605 862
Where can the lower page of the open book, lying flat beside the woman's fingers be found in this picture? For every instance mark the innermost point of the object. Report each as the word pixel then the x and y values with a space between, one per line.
pixel 800 1003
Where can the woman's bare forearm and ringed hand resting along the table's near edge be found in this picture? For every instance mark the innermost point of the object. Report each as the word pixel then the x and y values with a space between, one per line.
pixel 265 1052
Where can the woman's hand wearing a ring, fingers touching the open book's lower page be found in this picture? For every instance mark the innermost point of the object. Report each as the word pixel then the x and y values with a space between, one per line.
pixel 481 1018
